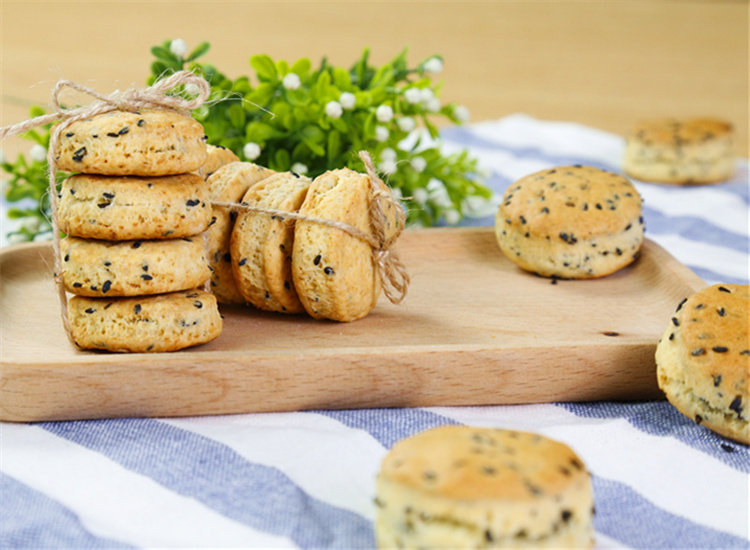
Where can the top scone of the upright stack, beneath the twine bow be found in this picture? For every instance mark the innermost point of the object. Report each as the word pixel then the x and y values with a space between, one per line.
pixel 147 143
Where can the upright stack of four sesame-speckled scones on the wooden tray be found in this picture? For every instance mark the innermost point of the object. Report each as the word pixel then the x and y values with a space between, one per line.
pixel 134 215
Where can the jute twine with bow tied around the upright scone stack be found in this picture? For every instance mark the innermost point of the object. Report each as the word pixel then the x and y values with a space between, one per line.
pixel 133 100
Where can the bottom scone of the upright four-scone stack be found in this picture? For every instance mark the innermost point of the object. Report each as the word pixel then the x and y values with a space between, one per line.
pixel 165 322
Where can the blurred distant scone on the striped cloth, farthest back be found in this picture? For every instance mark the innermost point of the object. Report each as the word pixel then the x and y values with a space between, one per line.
pixel 680 151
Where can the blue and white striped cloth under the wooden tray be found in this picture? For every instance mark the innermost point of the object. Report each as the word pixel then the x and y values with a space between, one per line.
pixel 307 479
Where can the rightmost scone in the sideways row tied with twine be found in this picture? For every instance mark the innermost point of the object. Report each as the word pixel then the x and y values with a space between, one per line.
pixel 333 271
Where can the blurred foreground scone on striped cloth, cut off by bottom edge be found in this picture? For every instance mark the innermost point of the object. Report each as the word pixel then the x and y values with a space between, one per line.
pixel 465 487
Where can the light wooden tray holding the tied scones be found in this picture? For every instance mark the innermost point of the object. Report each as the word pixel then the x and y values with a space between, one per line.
pixel 473 330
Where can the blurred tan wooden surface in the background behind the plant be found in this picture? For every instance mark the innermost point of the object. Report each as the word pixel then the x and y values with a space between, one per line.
pixel 605 64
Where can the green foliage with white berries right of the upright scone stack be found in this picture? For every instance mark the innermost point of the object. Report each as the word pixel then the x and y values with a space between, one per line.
pixel 306 119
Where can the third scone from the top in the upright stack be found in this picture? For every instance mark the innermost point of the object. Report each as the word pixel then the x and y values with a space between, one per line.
pixel 132 268
